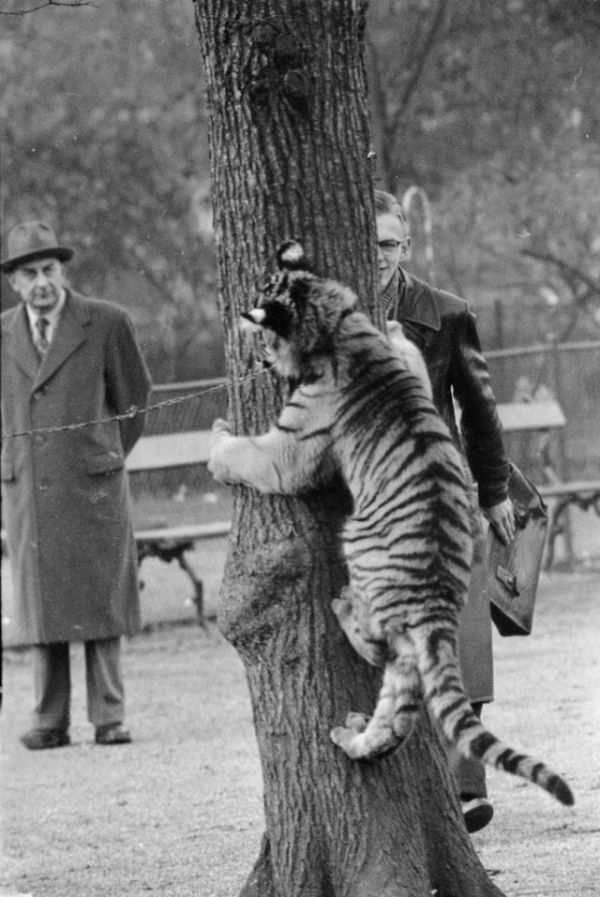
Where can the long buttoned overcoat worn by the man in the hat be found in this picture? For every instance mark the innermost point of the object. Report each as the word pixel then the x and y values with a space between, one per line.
pixel 66 503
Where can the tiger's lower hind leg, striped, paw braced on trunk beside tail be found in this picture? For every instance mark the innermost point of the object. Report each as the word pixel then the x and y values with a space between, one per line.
pixel 395 714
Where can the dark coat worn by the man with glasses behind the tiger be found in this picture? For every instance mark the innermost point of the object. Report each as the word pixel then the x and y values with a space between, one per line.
pixel 445 330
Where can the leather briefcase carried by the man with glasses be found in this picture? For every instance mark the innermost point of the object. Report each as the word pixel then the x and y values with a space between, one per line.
pixel 513 570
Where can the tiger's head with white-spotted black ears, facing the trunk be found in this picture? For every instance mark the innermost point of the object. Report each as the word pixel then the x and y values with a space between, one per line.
pixel 299 314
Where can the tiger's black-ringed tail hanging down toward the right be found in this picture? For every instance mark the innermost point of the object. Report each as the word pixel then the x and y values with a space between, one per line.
pixel 445 696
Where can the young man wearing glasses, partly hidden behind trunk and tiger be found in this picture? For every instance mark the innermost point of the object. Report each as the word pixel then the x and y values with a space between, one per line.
pixel 444 329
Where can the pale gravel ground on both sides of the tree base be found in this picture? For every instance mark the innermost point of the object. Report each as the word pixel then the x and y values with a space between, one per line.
pixel 179 812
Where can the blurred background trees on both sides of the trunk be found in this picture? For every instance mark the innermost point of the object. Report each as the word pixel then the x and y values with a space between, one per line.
pixel 491 109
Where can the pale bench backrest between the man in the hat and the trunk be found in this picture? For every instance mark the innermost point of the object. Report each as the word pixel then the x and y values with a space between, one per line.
pixel 170 450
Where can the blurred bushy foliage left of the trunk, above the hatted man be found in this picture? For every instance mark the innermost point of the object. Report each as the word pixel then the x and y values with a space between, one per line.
pixel 105 137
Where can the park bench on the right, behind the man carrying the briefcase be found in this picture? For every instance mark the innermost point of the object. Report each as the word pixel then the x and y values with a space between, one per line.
pixel 545 417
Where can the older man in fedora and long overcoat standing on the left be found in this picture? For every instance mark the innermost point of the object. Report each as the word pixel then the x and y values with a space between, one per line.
pixel 68 360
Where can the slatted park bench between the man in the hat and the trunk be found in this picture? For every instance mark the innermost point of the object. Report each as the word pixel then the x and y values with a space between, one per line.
pixel 157 538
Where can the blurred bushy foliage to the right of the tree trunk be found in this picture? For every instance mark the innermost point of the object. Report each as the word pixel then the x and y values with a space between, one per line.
pixel 492 109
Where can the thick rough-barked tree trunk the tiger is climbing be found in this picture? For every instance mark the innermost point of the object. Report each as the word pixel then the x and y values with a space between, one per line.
pixel 289 147
